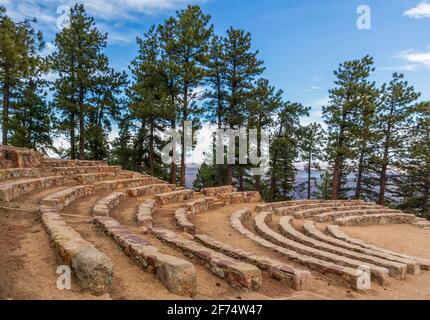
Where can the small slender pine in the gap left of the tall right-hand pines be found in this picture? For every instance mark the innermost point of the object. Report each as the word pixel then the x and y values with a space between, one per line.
pixel 311 142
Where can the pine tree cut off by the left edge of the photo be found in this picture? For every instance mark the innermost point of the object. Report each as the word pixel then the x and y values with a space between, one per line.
pixel 19 43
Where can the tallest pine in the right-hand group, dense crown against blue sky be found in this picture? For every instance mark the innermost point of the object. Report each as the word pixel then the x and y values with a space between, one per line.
pixel 340 116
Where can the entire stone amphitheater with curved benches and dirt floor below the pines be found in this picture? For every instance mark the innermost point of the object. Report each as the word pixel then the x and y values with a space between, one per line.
pixel 126 235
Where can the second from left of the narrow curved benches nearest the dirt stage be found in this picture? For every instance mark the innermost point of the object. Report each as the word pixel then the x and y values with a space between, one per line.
pixel 379 273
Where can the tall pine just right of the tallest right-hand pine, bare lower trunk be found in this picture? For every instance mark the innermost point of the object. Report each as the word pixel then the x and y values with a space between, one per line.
pixel 393 114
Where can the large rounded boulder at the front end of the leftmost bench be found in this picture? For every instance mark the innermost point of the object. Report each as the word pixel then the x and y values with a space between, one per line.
pixel 93 271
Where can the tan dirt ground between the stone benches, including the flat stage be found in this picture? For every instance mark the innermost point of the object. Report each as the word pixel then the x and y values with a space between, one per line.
pixel 28 264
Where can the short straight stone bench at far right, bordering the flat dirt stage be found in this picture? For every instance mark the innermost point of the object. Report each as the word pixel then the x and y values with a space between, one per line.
pixel 372 219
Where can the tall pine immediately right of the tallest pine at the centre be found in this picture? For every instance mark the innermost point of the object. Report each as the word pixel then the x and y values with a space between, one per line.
pixel 241 68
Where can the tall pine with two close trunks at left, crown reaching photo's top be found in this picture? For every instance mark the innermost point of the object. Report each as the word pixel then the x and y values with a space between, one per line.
pixel 80 65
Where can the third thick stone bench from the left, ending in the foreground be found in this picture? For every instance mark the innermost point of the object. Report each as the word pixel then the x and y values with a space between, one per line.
pixel 238 274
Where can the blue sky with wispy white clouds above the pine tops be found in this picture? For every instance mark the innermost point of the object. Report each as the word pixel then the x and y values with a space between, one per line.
pixel 301 41
